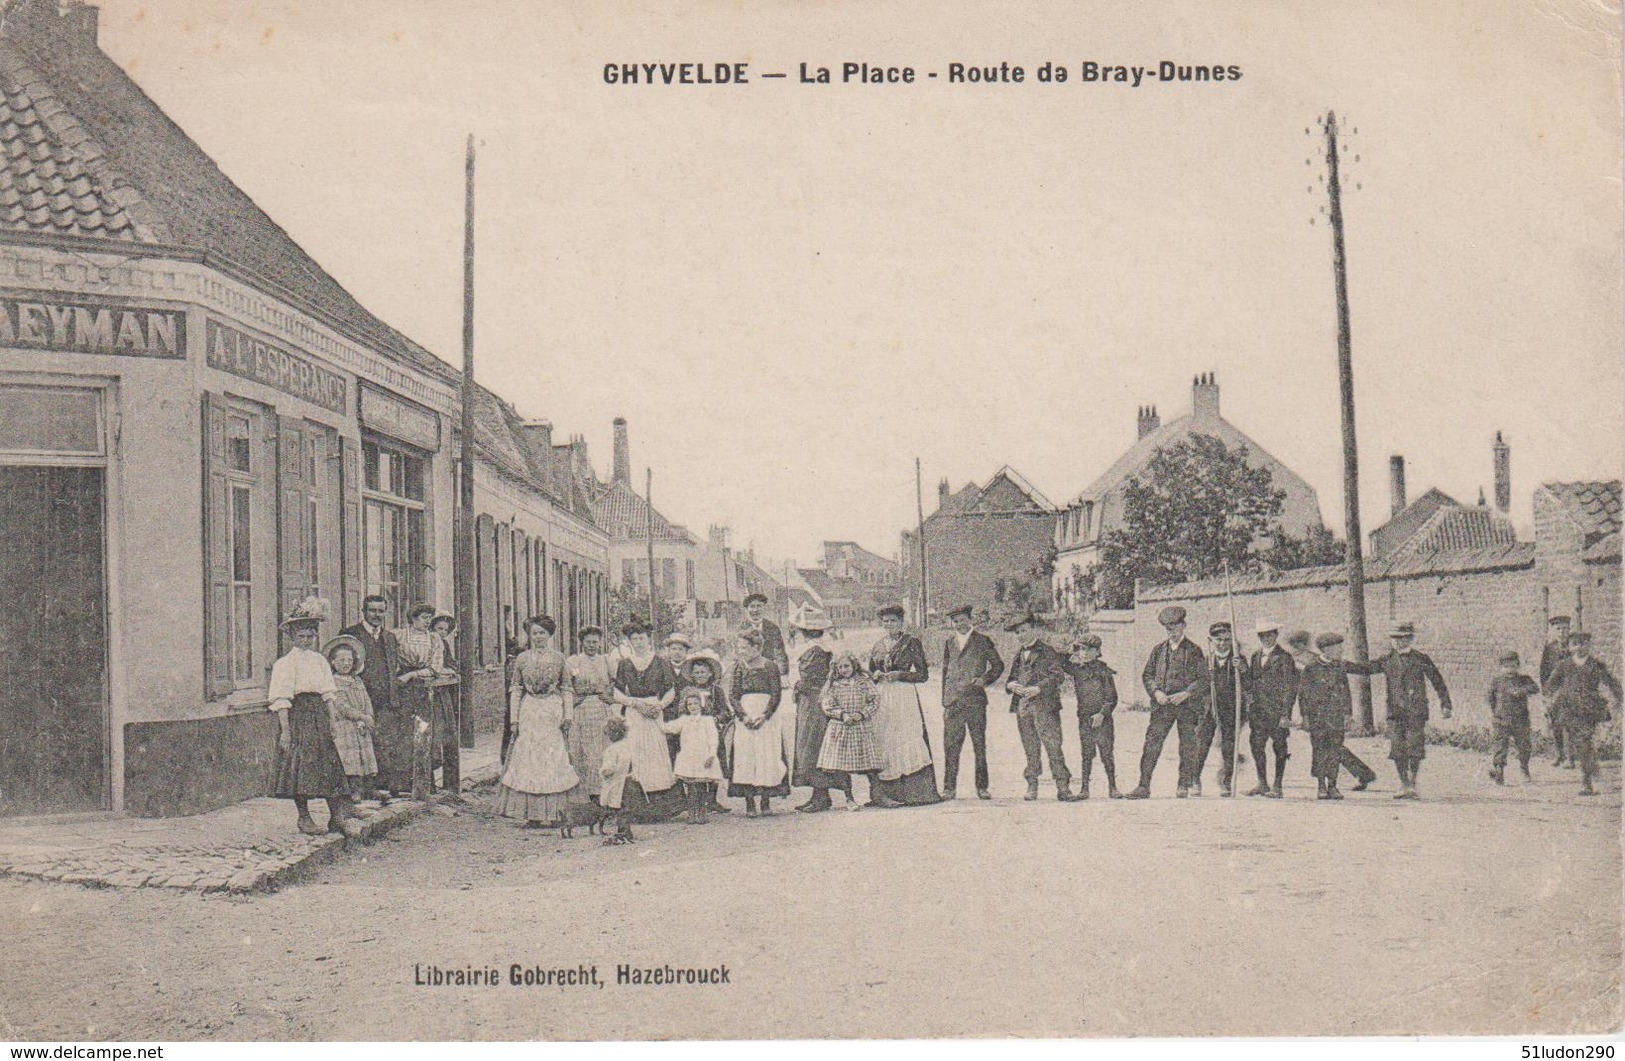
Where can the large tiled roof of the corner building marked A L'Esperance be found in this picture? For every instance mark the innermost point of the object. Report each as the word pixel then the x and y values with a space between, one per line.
pixel 110 163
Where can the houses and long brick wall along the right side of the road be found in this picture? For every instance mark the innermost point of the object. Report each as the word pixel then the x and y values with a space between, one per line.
pixel 1460 571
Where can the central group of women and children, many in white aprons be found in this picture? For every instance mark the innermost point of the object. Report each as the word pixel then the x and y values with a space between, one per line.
pixel 644 734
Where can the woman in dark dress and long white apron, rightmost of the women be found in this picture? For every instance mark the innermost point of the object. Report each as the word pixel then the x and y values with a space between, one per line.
pixel 898 667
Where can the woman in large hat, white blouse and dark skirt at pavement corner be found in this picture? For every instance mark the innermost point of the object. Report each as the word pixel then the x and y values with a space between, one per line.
pixel 303 695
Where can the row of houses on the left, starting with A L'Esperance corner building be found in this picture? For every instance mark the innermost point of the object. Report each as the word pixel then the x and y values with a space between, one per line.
pixel 201 428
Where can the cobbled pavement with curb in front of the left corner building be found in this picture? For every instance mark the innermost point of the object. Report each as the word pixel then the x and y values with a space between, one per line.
pixel 194 873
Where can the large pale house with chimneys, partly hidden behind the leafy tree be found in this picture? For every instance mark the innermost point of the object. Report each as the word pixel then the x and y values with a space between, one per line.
pixel 1086 521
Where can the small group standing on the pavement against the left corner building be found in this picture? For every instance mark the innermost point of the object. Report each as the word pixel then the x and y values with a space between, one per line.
pixel 350 714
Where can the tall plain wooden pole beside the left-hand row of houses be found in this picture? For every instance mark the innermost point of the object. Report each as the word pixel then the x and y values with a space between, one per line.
pixel 466 503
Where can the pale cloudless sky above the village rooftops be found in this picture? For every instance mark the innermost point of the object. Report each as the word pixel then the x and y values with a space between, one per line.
pixel 792 292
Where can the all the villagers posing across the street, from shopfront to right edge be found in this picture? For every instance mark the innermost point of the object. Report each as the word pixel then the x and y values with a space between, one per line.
pixel 643 734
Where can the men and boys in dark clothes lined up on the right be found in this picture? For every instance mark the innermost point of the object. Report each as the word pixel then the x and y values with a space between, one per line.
pixel 1202 696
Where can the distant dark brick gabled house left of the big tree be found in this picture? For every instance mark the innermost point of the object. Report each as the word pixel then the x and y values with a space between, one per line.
pixel 984 547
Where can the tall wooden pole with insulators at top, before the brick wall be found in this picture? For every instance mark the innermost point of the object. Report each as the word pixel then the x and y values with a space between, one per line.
pixel 1354 558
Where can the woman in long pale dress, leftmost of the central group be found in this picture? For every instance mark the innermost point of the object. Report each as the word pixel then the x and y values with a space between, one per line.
pixel 539 781
